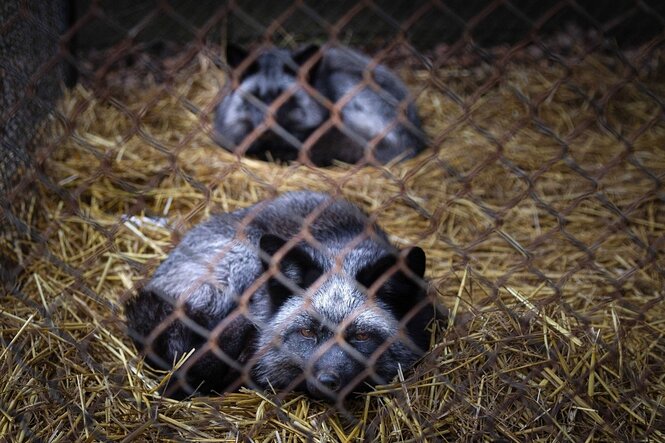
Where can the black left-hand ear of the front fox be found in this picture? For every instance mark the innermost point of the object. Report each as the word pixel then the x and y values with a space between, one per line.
pixel 297 267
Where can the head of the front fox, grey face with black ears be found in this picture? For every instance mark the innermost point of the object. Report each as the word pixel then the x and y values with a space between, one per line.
pixel 336 332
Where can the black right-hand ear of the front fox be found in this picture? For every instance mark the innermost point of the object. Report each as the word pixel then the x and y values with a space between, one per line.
pixel 400 290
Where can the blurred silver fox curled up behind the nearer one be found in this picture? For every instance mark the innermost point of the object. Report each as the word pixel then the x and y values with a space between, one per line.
pixel 382 109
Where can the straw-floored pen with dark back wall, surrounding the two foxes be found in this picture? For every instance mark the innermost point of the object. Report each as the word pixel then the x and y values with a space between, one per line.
pixel 538 201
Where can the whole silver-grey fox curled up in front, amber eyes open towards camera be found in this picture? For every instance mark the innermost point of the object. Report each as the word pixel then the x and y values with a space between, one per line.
pixel 301 292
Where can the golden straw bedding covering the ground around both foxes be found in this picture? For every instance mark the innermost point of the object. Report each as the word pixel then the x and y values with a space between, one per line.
pixel 540 209
